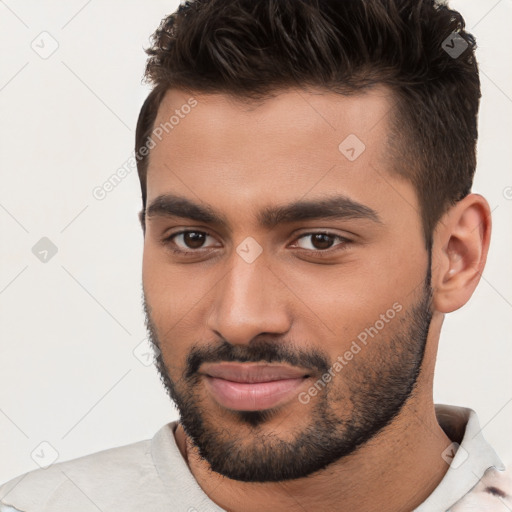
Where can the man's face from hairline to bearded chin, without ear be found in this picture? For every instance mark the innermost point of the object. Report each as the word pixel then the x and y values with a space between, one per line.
pixel 278 236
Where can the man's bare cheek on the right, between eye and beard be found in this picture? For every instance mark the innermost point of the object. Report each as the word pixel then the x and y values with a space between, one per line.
pixel 354 311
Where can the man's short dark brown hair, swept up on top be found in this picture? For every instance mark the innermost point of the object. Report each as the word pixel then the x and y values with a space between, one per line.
pixel 252 48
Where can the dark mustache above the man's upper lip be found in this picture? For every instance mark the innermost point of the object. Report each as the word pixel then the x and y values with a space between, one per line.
pixel 260 351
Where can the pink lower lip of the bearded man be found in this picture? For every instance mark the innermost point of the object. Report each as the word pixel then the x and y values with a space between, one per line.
pixel 252 396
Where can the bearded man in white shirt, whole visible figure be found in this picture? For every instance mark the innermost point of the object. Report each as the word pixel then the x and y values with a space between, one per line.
pixel 306 171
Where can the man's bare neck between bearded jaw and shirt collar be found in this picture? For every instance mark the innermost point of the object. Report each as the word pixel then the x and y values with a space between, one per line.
pixel 395 471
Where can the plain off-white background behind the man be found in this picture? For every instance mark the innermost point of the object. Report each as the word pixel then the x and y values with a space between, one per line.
pixel 68 374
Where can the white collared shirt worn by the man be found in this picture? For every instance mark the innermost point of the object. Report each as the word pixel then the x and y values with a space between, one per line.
pixel 152 476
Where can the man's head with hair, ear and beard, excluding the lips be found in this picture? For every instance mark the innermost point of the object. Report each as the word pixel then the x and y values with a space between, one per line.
pixel 306 169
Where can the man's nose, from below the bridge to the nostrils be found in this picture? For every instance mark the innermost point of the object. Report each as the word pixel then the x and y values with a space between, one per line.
pixel 248 301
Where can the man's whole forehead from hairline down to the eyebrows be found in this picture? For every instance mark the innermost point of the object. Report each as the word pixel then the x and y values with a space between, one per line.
pixel 299 144
